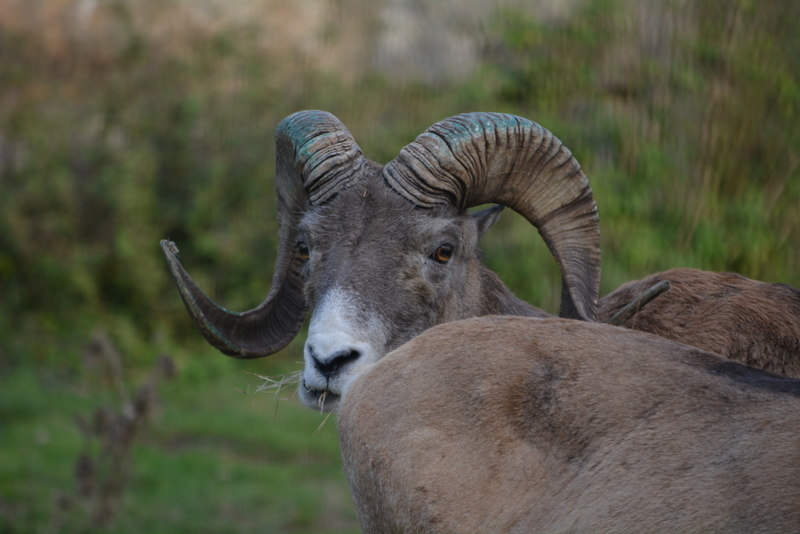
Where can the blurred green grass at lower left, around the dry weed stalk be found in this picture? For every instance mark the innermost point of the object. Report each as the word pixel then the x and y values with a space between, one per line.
pixel 215 460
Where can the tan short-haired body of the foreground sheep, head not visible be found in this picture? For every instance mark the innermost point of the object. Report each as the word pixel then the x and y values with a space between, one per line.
pixel 574 427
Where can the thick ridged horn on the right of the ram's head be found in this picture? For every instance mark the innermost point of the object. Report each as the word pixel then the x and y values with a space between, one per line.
pixel 480 158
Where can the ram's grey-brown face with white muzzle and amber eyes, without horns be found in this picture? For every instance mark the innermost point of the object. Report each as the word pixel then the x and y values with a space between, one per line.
pixel 377 275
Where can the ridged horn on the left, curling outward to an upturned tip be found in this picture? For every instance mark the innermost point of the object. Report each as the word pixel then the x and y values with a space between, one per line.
pixel 315 158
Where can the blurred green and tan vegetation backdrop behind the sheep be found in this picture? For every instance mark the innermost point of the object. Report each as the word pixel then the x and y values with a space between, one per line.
pixel 123 122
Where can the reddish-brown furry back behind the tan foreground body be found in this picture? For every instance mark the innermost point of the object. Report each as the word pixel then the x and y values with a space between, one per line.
pixel 753 322
